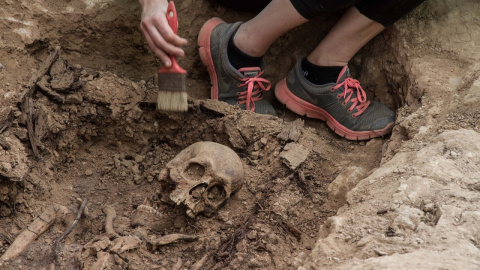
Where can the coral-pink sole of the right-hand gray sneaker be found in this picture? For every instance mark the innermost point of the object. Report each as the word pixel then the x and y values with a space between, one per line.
pixel 304 108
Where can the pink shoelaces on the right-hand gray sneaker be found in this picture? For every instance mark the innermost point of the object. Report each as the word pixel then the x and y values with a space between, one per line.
pixel 350 85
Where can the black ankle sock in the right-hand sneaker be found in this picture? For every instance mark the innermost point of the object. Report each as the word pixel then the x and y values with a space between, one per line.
pixel 319 74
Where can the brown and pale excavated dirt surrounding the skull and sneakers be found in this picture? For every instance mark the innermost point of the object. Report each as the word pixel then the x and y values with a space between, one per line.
pixel 86 128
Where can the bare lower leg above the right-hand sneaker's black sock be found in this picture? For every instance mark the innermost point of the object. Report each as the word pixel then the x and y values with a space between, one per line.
pixel 345 39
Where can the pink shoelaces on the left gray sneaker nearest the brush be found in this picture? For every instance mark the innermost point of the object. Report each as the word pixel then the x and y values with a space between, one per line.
pixel 255 85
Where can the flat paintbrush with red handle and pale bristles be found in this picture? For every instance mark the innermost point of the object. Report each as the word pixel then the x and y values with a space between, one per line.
pixel 172 93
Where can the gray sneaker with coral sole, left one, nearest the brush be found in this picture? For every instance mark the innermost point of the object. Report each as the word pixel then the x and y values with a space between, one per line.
pixel 243 87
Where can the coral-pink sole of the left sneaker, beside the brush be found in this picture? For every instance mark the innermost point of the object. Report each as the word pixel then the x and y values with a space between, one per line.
pixel 206 54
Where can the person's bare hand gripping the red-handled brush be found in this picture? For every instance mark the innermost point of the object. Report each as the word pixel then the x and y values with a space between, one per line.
pixel 160 37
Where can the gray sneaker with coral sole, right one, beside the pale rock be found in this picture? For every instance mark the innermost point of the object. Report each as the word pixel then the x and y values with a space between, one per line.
pixel 343 105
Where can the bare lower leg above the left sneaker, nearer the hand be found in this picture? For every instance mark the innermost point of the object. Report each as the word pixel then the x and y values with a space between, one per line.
pixel 257 35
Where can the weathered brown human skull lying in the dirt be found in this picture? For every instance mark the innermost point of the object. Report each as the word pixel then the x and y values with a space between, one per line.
pixel 205 175
